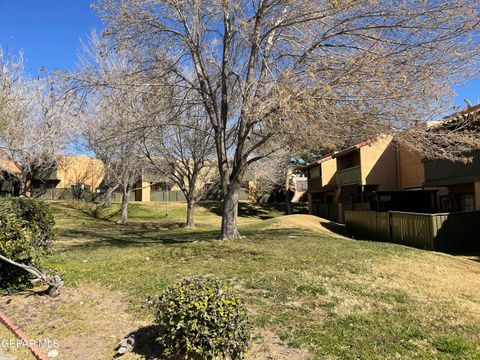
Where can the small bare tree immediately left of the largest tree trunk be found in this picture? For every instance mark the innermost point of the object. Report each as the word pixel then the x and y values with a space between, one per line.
pixel 181 148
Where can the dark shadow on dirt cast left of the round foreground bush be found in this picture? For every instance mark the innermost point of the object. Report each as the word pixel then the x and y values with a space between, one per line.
pixel 145 343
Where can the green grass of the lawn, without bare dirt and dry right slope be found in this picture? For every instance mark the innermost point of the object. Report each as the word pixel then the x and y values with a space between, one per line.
pixel 317 291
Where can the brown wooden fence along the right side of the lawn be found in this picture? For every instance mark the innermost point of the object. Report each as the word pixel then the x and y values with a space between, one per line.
pixel 452 232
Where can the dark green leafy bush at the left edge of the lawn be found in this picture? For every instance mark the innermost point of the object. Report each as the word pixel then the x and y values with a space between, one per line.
pixel 26 230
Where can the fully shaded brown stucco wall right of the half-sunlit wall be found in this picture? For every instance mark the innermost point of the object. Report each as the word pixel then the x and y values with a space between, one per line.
pixel 412 172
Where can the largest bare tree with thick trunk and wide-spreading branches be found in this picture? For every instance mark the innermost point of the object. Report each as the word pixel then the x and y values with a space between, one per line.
pixel 269 67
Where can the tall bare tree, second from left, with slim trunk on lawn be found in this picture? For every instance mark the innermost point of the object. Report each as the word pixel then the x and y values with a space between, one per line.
pixel 110 116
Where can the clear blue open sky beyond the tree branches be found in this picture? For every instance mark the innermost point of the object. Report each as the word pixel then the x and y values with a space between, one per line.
pixel 49 33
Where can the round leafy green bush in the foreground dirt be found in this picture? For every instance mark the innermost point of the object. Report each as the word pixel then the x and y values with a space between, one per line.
pixel 199 319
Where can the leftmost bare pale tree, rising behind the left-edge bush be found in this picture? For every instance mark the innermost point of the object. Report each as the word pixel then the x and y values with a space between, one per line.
pixel 35 127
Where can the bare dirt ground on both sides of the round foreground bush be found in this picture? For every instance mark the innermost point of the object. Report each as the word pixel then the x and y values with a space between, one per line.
pixel 88 322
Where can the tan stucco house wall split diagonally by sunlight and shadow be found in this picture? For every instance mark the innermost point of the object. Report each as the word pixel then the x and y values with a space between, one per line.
pixel 379 164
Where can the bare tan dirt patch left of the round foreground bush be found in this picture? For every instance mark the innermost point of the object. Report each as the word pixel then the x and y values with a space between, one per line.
pixel 86 323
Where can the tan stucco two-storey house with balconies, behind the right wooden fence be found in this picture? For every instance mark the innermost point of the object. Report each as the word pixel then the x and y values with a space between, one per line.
pixel 377 174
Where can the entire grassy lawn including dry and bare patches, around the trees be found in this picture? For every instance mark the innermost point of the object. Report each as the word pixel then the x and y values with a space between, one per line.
pixel 329 296
